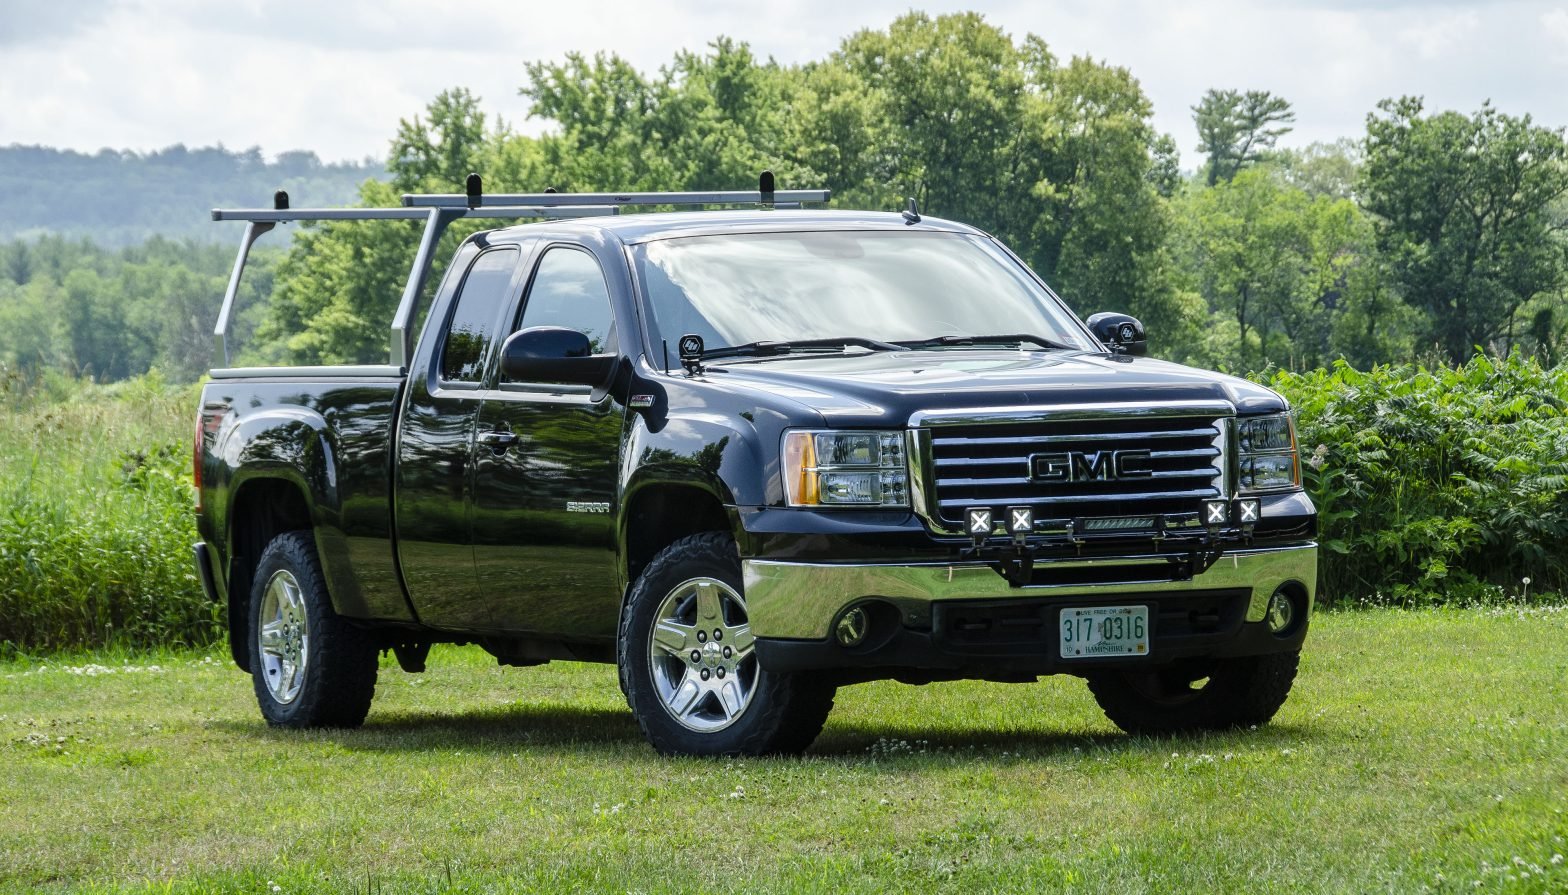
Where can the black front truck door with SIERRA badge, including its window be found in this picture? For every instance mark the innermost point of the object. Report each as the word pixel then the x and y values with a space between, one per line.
pixel 545 473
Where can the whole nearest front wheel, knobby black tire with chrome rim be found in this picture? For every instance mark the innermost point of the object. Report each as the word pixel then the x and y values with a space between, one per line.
pixel 689 667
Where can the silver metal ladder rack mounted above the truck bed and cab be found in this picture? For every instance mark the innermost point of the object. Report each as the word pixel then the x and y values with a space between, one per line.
pixel 441 209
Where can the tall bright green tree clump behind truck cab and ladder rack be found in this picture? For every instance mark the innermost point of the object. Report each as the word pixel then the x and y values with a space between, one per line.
pixel 1059 161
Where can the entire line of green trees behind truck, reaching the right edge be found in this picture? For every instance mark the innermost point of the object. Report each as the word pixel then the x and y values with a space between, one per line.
pixel 1425 239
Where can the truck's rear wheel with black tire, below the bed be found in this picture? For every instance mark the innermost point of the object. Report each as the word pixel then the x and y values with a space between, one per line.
pixel 338 675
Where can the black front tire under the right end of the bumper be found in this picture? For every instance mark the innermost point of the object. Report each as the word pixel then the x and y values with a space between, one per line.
pixel 1236 694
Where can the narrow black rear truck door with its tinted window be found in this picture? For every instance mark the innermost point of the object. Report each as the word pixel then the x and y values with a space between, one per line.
pixel 437 441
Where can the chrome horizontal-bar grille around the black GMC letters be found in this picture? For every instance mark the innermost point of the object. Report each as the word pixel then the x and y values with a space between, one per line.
pixel 982 463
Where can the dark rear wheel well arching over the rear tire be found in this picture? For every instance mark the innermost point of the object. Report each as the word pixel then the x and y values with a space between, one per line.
pixel 263 510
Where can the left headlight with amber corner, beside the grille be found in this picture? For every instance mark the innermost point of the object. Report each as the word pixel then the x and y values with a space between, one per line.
pixel 846 469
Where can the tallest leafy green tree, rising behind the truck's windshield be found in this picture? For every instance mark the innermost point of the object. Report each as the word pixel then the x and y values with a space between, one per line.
pixel 1059 161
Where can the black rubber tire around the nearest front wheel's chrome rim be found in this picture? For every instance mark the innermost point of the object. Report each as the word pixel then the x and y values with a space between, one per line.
pixel 785 712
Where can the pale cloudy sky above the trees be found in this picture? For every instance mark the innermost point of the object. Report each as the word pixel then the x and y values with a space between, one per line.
pixel 336 76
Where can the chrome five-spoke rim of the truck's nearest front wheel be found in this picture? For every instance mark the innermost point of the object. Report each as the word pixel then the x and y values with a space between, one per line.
pixel 703 656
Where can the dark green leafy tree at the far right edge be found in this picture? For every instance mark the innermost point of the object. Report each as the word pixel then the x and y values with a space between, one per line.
pixel 1465 219
